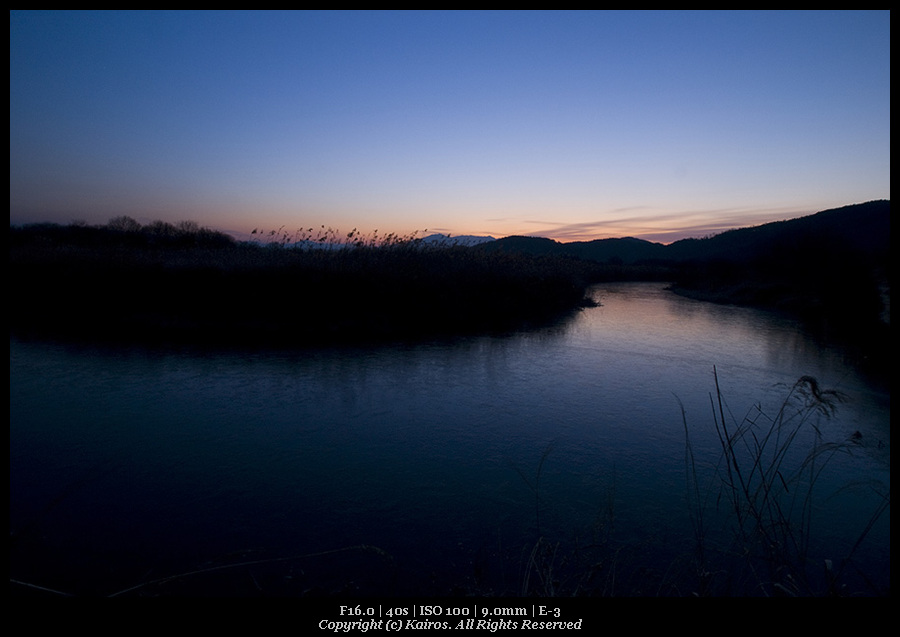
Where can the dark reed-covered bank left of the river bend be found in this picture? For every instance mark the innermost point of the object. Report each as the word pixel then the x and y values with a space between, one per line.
pixel 165 283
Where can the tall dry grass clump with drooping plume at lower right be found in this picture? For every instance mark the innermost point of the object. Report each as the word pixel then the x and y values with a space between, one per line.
pixel 767 488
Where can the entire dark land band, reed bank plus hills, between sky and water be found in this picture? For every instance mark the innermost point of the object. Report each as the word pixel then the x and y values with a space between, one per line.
pixel 183 283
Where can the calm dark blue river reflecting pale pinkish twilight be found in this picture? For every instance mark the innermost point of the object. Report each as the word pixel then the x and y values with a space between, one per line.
pixel 452 459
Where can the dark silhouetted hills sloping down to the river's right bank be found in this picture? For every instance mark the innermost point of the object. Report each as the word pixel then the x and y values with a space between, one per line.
pixel 830 269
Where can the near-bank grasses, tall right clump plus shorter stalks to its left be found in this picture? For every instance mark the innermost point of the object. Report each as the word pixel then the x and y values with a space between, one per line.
pixel 751 512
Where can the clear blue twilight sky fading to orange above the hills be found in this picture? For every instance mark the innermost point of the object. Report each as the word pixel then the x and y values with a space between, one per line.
pixel 568 125
